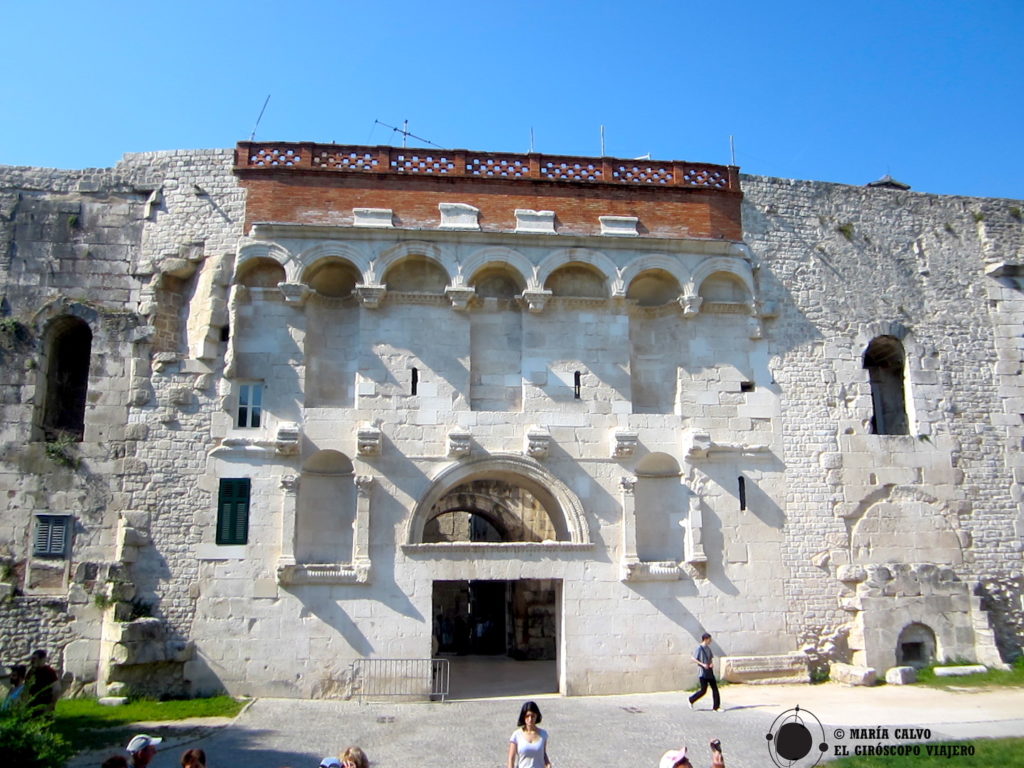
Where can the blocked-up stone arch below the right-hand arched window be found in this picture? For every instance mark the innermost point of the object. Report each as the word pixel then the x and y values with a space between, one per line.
pixel 906 528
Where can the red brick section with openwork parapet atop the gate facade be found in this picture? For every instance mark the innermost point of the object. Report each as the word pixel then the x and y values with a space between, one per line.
pixel 301 194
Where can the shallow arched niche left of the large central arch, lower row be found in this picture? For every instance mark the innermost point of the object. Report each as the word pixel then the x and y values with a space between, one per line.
pixel 326 509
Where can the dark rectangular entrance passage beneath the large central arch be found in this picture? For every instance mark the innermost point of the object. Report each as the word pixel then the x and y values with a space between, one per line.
pixel 501 636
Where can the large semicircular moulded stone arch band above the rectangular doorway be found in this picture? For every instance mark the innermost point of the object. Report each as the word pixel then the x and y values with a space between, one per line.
pixel 564 507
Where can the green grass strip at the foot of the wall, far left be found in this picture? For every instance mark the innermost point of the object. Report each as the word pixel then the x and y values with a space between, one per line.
pixel 89 726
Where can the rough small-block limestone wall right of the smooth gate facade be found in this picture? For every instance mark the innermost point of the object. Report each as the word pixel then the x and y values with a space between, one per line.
pixel 918 264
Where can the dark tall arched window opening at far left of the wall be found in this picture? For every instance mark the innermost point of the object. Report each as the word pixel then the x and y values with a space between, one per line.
pixel 68 352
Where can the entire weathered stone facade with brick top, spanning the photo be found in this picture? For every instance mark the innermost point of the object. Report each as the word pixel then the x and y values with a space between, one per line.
pixel 334 398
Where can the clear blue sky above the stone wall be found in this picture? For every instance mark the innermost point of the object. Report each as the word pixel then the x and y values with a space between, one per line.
pixel 930 93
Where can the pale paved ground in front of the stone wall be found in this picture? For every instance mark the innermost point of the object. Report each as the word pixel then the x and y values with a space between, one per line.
pixel 630 731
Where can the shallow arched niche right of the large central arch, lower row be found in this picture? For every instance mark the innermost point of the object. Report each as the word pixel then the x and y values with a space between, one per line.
pixel 661 503
